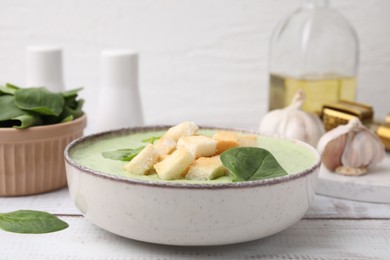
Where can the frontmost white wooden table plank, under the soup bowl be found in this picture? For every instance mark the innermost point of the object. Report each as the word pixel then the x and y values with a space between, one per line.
pixel 308 239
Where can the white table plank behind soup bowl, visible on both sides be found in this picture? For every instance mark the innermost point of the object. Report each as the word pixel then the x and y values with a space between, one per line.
pixel 59 202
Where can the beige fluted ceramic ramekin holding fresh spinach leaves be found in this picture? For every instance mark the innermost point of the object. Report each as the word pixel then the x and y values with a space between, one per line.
pixel 32 159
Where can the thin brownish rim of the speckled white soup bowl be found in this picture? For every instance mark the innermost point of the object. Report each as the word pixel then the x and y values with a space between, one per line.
pixel 167 184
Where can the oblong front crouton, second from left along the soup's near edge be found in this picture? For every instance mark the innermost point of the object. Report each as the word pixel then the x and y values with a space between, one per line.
pixel 174 166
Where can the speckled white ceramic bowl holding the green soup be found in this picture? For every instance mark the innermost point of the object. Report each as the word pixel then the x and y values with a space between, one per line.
pixel 175 213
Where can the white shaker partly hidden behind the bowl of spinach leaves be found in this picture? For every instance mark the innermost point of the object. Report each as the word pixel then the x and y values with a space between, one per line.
pixel 44 67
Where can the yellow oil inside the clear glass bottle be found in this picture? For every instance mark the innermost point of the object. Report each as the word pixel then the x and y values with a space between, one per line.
pixel 318 91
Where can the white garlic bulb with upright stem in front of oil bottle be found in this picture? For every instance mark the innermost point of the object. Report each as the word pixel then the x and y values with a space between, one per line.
pixel 292 122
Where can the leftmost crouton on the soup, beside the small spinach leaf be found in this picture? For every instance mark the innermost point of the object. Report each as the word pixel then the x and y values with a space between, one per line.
pixel 143 161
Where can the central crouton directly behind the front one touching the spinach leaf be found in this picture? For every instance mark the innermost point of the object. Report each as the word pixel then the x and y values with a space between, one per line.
pixel 198 145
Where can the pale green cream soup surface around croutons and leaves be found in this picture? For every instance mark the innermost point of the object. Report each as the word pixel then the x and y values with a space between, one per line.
pixel 292 157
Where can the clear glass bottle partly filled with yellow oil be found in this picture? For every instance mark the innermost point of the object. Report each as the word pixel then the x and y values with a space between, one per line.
pixel 317 50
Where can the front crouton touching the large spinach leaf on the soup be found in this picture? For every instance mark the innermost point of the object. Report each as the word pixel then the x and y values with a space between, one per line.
pixel 206 168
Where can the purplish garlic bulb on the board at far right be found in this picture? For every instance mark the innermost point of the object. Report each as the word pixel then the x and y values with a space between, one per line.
pixel 350 149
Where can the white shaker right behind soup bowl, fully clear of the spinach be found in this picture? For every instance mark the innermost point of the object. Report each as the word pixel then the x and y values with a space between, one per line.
pixel 119 103
